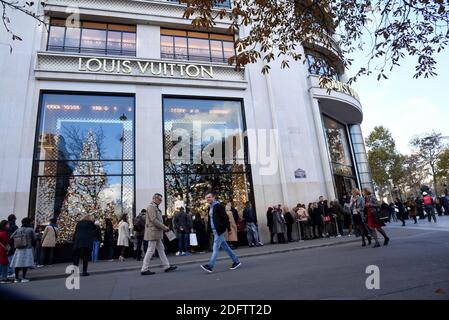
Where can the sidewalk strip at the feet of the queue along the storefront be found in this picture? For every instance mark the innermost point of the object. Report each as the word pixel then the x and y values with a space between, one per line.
pixel 58 270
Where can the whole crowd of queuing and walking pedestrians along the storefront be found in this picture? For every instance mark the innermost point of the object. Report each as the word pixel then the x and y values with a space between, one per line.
pixel 360 214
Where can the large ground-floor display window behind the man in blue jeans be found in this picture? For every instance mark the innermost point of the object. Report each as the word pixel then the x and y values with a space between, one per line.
pixel 189 173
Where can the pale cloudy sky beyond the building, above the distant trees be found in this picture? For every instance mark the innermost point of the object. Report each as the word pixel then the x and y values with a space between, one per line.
pixel 406 106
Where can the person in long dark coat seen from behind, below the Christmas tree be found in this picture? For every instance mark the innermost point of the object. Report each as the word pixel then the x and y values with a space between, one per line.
pixel 83 241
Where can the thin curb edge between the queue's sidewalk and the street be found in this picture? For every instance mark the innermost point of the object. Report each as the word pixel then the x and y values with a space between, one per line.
pixel 247 255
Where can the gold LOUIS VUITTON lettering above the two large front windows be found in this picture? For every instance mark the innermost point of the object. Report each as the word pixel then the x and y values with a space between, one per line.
pixel 143 67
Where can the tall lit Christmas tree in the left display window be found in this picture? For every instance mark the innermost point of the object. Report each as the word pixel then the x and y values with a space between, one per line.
pixel 82 196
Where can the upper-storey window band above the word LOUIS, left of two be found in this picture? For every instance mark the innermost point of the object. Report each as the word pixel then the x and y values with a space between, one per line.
pixel 92 38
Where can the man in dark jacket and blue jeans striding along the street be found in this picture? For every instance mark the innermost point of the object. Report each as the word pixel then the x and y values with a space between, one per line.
pixel 219 224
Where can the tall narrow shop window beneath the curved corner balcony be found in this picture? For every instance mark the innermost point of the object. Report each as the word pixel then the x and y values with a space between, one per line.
pixel 340 154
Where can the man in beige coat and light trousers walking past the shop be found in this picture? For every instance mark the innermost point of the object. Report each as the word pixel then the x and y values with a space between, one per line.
pixel 154 233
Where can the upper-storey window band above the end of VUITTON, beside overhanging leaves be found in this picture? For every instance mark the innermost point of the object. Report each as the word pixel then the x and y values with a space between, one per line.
pixel 197 46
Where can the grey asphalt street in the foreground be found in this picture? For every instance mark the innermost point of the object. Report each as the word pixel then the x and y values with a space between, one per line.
pixel 414 266
